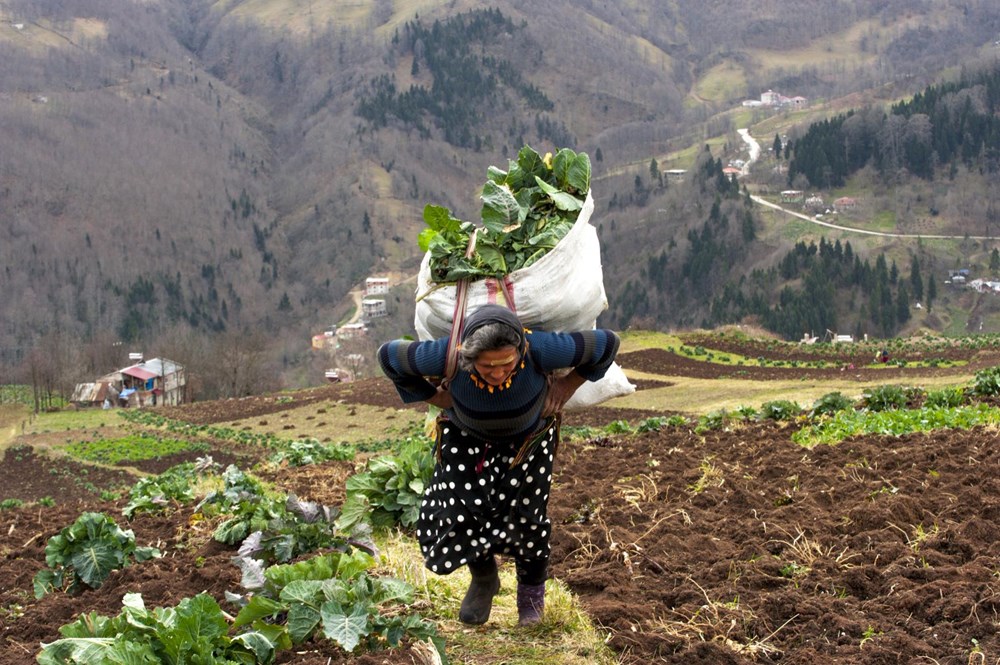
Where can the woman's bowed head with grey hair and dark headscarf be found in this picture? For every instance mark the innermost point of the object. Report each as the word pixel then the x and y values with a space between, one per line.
pixel 492 343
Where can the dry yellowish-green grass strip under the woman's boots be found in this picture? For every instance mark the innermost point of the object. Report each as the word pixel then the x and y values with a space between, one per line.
pixel 564 637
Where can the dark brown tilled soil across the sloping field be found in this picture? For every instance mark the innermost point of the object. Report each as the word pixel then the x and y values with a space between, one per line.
pixel 731 546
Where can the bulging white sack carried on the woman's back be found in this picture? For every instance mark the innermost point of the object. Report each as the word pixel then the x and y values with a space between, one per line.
pixel 562 291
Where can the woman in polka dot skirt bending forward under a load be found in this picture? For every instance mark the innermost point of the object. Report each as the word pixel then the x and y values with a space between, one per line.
pixel 497 439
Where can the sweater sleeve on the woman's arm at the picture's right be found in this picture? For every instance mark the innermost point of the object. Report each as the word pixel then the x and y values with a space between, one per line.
pixel 589 352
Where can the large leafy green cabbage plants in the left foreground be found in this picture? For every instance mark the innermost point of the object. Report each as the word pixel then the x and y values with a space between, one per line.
pixel 331 596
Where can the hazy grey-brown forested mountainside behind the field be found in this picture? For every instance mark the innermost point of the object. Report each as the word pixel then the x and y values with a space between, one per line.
pixel 208 180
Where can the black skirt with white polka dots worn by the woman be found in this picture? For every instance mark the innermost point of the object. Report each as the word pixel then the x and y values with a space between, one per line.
pixel 487 499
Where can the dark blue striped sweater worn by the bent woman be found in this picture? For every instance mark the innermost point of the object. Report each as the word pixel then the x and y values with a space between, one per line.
pixel 504 415
